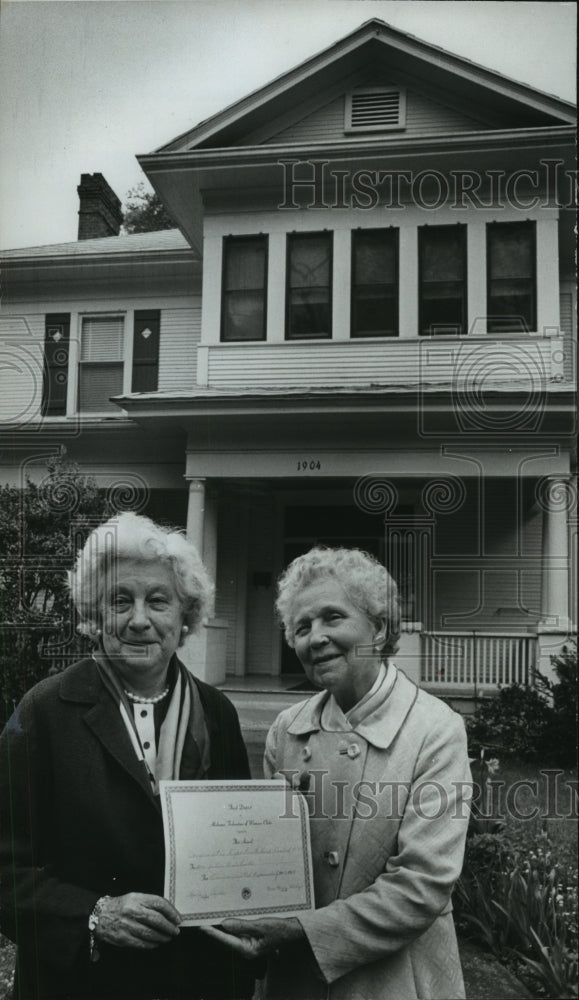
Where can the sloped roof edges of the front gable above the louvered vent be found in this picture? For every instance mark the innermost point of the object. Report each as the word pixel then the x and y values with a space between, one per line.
pixel 377 41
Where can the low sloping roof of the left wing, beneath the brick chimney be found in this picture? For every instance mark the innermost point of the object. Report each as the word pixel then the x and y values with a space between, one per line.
pixel 167 239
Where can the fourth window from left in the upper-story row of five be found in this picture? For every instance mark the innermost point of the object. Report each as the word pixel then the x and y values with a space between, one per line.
pixel 442 280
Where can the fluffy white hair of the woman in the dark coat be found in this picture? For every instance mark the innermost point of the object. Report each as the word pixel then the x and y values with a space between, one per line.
pixel 132 536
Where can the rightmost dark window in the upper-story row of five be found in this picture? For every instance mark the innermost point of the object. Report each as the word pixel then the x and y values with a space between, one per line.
pixel 511 277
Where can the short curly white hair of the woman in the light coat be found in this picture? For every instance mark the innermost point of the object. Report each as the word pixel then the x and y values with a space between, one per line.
pixel 366 581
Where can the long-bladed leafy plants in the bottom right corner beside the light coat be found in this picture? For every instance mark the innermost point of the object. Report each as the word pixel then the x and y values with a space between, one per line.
pixel 520 901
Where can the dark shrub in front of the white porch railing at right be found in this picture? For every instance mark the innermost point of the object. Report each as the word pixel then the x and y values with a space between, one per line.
pixel 538 723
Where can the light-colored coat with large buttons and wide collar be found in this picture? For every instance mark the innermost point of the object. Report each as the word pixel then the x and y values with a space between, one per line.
pixel 388 821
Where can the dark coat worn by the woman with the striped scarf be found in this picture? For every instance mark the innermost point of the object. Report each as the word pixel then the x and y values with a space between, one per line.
pixel 78 820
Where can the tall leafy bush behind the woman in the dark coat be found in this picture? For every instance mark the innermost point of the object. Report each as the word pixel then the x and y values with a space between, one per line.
pixel 41 526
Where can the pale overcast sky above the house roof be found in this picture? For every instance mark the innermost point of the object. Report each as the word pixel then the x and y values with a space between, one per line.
pixel 85 85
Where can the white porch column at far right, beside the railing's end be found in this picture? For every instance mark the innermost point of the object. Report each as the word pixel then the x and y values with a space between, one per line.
pixel 555 555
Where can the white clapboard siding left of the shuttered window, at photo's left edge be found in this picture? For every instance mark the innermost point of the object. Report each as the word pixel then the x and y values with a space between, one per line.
pixel 21 361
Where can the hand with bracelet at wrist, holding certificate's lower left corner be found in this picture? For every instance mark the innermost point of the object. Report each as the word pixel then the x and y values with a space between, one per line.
pixel 137 920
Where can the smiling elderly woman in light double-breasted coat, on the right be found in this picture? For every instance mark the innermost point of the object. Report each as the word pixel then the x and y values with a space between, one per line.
pixel 385 768
